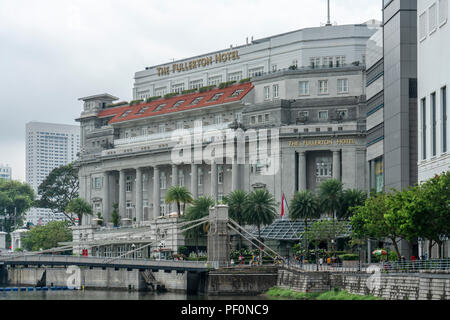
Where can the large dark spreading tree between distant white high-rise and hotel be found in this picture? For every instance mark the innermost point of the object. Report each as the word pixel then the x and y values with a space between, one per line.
pixel 58 189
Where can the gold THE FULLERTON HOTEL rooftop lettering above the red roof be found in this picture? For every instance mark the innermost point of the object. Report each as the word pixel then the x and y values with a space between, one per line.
pixel 199 63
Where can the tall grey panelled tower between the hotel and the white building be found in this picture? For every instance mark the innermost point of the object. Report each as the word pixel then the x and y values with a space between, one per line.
pixel 400 93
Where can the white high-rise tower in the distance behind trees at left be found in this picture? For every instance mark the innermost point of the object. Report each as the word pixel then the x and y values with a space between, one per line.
pixel 48 146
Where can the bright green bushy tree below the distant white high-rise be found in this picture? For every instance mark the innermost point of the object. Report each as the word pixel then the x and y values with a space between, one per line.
pixel 48 236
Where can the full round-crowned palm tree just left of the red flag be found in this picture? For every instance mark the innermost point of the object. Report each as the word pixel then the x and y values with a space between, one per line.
pixel 260 209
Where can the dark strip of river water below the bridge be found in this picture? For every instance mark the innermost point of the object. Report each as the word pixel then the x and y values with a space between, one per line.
pixel 111 295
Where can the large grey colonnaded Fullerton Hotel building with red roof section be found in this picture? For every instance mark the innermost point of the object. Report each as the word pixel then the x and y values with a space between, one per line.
pixel 305 89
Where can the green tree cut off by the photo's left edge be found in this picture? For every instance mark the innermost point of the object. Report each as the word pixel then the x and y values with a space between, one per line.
pixel 15 199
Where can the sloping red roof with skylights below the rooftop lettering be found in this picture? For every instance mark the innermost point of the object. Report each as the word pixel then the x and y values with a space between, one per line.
pixel 168 108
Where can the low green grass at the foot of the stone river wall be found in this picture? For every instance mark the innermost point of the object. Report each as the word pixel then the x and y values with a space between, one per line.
pixel 330 295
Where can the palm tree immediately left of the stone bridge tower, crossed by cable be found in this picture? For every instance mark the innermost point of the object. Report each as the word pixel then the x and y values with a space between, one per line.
pixel 198 210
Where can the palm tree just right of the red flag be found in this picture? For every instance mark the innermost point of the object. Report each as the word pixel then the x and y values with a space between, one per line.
pixel 305 205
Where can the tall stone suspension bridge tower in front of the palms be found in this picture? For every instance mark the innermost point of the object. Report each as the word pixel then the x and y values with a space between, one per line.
pixel 218 236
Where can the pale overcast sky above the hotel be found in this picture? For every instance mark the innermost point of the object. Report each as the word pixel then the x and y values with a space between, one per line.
pixel 53 52
